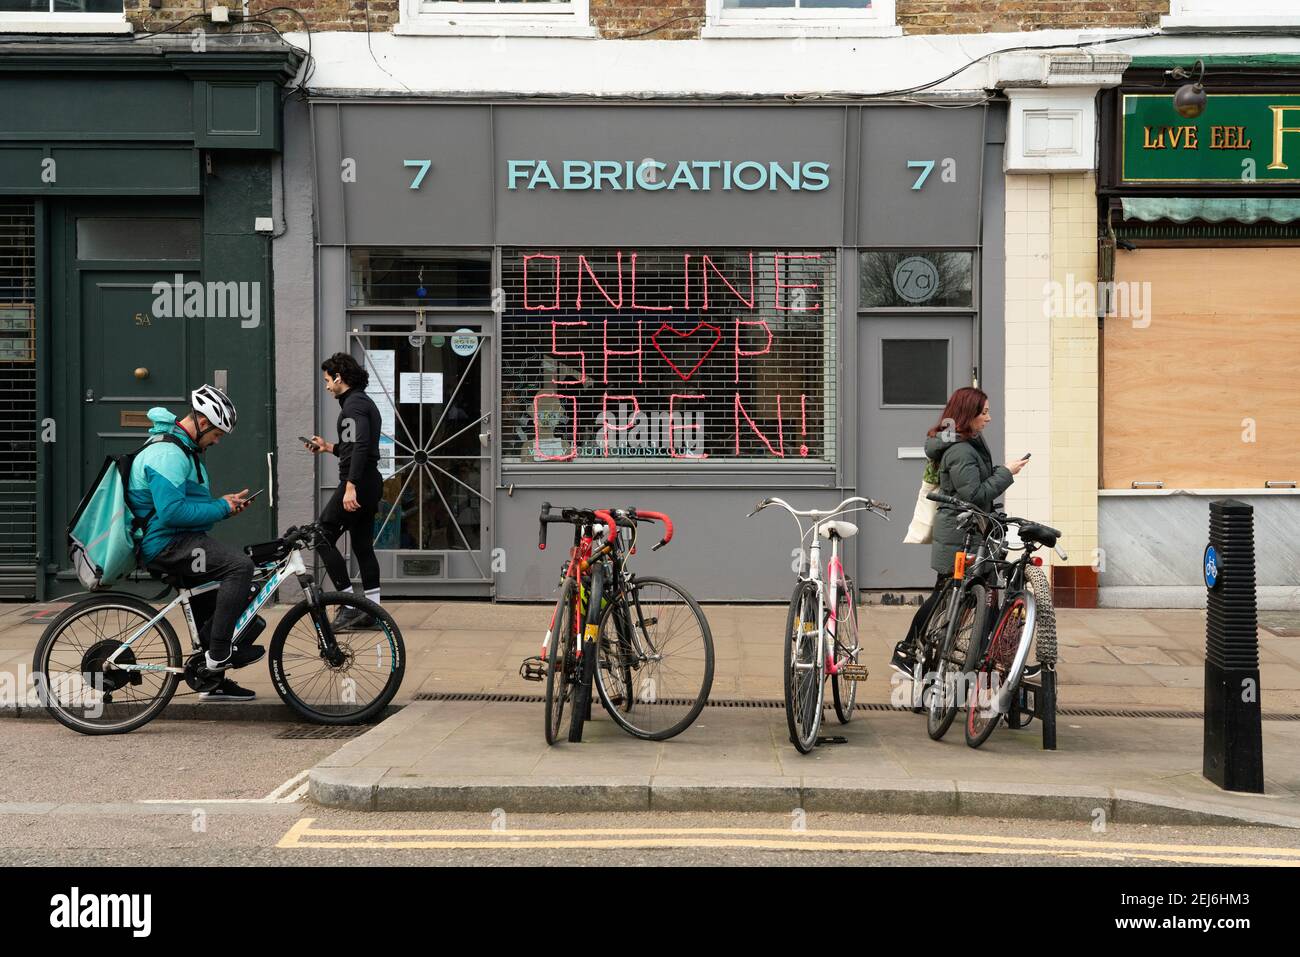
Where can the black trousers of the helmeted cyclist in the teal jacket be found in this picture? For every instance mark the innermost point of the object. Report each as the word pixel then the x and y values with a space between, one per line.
pixel 197 558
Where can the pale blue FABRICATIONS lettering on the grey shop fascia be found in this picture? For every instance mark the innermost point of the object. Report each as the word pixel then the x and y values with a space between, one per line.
pixel 653 175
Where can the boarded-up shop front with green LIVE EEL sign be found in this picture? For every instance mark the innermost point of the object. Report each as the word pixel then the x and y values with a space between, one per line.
pixel 1202 340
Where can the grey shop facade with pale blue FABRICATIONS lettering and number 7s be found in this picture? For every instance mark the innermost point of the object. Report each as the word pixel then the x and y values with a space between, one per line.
pixel 678 306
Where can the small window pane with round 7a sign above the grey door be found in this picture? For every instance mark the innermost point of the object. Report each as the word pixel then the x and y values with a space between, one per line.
pixel 916 279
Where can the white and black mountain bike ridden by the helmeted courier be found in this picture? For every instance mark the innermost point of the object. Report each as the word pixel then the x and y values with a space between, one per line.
pixel 112 662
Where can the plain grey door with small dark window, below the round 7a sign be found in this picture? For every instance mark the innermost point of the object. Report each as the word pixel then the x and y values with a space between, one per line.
pixel 909 369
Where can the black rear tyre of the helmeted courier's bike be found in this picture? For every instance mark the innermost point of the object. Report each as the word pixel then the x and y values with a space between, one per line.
pixel 127 604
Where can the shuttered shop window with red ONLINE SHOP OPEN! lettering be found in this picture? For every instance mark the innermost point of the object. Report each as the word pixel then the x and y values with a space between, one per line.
pixel 669 357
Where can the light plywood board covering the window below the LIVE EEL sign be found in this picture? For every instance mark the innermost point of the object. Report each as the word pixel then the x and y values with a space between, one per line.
pixel 1199 369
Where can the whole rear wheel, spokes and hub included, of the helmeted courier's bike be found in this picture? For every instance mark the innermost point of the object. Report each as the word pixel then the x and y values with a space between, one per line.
pixel 76 685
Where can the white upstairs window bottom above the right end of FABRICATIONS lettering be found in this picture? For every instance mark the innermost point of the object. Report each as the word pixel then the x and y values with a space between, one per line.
pixel 801 18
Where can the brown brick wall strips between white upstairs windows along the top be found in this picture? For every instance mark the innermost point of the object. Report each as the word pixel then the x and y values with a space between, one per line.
pixel 678 20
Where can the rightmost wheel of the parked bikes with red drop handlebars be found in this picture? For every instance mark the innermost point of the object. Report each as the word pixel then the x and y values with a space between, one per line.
pixel 655 660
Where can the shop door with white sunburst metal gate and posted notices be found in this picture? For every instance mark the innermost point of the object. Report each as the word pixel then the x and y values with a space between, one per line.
pixel 431 376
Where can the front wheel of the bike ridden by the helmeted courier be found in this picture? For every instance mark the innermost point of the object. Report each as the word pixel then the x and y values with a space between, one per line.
pixel 388 673
